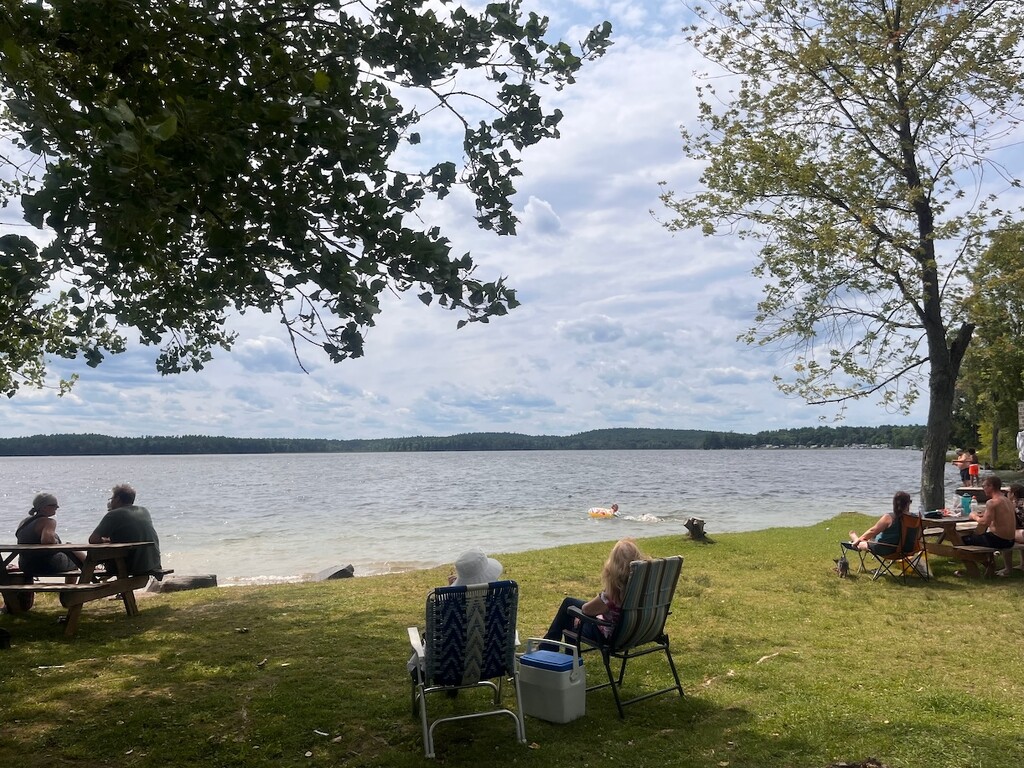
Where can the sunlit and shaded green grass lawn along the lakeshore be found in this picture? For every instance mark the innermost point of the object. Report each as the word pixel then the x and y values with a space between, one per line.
pixel 784 665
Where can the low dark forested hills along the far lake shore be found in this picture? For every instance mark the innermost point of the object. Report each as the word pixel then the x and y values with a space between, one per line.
pixel 599 440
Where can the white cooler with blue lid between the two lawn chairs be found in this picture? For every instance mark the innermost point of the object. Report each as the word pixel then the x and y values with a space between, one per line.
pixel 553 685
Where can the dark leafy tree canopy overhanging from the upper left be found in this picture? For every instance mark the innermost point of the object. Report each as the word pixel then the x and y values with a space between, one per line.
pixel 198 158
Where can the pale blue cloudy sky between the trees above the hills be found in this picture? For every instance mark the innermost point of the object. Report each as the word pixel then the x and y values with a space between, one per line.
pixel 623 324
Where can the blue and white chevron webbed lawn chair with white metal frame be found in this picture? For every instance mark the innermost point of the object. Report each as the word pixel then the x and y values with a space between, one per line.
pixel 470 643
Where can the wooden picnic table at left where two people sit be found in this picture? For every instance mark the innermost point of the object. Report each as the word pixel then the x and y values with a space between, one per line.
pixel 86 585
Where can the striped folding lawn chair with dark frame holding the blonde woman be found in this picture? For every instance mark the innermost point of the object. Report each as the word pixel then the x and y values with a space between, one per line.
pixel 641 629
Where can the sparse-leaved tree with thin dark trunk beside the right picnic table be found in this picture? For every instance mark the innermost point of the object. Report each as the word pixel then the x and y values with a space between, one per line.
pixel 866 146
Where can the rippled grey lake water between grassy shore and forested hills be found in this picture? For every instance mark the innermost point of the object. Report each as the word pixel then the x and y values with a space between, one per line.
pixel 272 519
